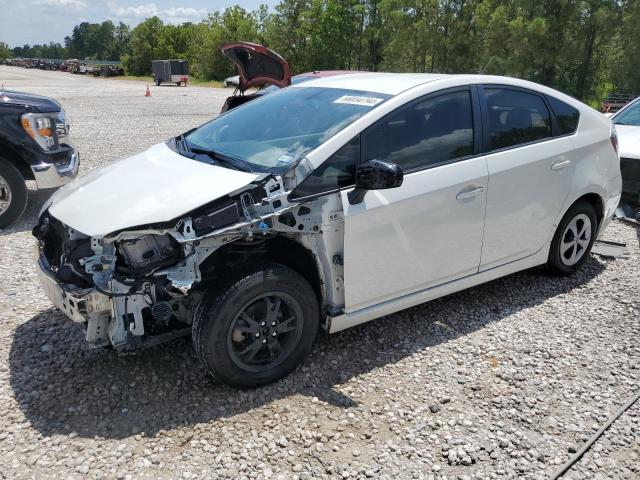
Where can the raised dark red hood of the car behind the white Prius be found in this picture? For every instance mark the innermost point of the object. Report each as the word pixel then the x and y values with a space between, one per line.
pixel 257 65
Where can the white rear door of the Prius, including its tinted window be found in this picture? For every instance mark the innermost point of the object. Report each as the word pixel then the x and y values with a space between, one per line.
pixel 530 173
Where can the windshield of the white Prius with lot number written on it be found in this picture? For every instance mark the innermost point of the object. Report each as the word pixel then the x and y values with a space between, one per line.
pixel 273 132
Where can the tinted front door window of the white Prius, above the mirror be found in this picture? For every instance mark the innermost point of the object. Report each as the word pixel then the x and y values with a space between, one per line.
pixel 433 131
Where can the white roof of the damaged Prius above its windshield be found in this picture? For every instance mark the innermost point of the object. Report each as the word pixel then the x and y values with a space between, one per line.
pixel 388 83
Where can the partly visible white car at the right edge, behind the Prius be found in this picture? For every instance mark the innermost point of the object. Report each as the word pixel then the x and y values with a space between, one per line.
pixel 627 123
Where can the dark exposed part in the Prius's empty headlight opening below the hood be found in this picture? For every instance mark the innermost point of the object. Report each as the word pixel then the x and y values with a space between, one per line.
pixel 147 253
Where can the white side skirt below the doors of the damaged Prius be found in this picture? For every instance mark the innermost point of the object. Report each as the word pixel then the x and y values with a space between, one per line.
pixel 351 319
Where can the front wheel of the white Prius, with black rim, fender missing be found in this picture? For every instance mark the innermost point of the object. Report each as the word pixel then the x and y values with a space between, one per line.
pixel 257 329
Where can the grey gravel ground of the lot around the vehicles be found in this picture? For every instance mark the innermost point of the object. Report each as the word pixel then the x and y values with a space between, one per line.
pixel 504 380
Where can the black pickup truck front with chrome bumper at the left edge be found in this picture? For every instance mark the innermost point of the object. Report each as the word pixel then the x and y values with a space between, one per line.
pixel 33 130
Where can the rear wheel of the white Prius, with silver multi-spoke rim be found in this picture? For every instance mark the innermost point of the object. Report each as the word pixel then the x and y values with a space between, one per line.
pixel 573 239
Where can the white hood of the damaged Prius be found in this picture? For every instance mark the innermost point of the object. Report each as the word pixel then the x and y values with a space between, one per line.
pixel 114 197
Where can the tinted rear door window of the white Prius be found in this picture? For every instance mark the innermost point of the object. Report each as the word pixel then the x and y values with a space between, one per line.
pixel 516 117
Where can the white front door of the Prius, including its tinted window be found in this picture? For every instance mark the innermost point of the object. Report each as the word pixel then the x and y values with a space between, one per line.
pixel 429 230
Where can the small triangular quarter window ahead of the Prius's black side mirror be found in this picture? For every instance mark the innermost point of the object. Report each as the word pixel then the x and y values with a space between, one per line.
pixel 335 173
